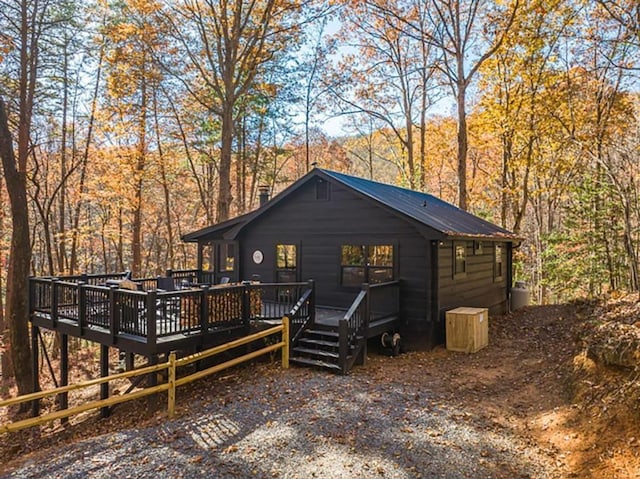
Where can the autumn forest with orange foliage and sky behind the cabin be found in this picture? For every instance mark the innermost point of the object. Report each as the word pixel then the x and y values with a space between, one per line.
pixel 125 124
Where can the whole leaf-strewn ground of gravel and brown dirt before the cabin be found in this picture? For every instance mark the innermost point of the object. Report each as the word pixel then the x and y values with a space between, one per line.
pixel 504 412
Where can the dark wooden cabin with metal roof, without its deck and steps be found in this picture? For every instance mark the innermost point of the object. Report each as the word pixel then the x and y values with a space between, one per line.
pixel 349 234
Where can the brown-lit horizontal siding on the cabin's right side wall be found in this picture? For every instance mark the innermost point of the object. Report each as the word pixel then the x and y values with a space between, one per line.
pixel 477 287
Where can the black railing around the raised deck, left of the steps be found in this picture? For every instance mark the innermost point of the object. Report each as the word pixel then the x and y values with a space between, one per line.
pixel 153 316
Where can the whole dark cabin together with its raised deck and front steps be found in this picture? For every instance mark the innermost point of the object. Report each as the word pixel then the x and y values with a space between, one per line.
pixel 345 259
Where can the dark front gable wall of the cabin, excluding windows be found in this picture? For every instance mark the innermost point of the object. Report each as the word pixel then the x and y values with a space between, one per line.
pixel 320 227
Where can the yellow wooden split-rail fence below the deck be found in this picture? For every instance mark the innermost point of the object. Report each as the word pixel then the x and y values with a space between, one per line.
pixel 172 383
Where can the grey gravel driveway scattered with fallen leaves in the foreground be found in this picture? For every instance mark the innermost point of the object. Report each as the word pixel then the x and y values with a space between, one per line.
pixel 302 423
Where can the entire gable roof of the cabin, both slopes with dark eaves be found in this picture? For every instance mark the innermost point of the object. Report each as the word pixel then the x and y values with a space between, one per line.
pixel 423 208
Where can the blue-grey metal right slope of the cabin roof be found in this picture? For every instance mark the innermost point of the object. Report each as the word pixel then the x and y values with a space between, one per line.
pixel 424 208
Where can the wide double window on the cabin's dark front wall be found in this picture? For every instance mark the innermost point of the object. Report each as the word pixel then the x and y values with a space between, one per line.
pixel 366 264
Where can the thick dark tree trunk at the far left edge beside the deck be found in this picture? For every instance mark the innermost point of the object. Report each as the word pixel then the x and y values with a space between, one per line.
pixel 17 307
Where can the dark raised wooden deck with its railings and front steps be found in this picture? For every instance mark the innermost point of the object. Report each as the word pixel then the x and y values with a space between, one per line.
pixel 139 317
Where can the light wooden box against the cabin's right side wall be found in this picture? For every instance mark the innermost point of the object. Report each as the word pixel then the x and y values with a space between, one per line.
pixel 467 329
